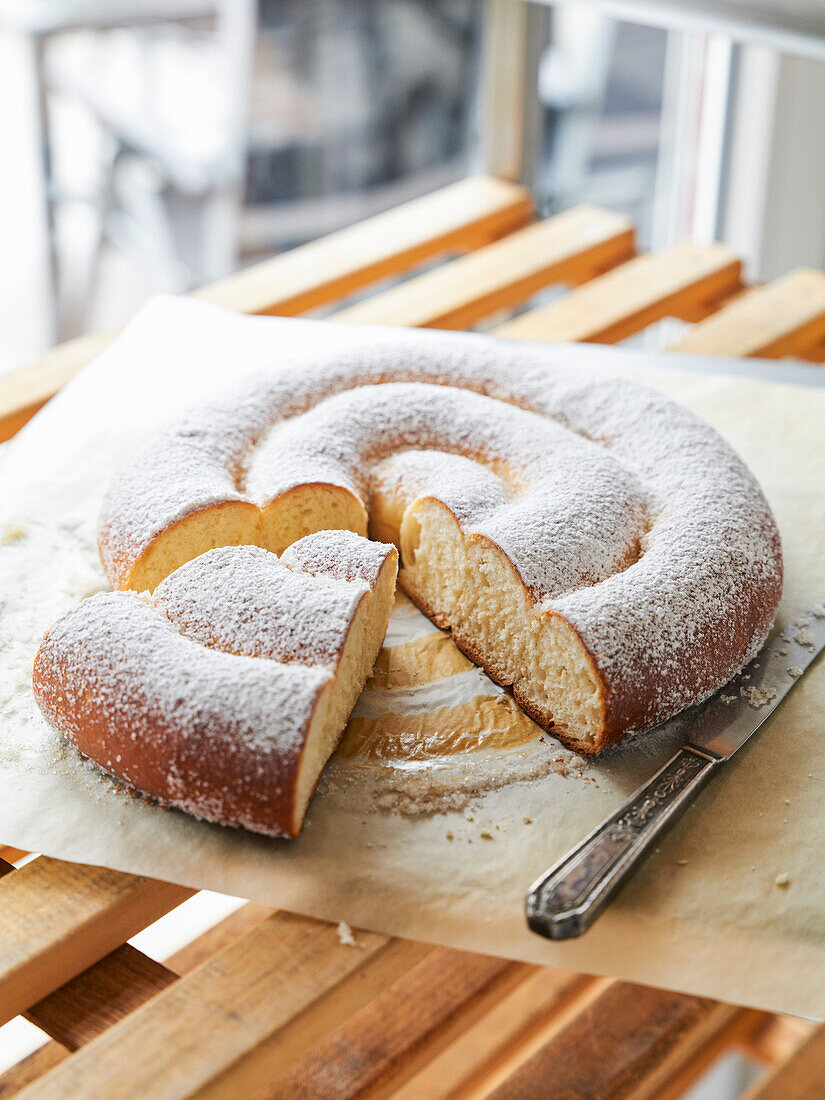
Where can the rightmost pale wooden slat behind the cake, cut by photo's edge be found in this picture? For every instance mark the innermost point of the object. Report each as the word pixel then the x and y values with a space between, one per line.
pixel 786 317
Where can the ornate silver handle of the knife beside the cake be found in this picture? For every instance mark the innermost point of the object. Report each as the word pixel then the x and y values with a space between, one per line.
pixel 567 899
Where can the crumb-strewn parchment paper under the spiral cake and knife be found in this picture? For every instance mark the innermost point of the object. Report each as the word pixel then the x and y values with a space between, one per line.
pixel 705 916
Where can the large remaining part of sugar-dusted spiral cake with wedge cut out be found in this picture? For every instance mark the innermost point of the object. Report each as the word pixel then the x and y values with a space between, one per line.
pixel 587 542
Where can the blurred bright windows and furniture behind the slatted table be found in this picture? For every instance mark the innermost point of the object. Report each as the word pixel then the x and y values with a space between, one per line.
pixel 151 147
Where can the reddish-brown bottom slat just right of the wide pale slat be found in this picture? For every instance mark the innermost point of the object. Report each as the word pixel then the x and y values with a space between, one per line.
pixel 408 1025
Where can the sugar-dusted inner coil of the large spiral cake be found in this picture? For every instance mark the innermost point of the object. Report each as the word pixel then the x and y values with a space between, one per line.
pixel 566 492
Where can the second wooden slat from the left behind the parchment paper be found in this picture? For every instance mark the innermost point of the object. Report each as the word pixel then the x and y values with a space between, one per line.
pixel 570 248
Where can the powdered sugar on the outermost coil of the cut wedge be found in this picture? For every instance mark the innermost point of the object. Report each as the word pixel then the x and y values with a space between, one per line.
pixel 115 654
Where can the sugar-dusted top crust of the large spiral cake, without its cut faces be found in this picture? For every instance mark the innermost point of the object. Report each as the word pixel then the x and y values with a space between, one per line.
pixel 622 512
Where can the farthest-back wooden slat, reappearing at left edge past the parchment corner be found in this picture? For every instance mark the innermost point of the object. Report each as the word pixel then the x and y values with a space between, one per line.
pixel 460 217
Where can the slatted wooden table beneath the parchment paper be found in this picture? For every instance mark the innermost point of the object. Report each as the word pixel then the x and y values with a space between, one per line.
pixel 273 1005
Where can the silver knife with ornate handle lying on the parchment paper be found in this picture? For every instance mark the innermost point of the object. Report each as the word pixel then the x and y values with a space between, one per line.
pixel 567 900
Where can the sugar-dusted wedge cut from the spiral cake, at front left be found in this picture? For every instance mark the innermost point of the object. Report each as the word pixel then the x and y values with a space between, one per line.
pixel 225 692
